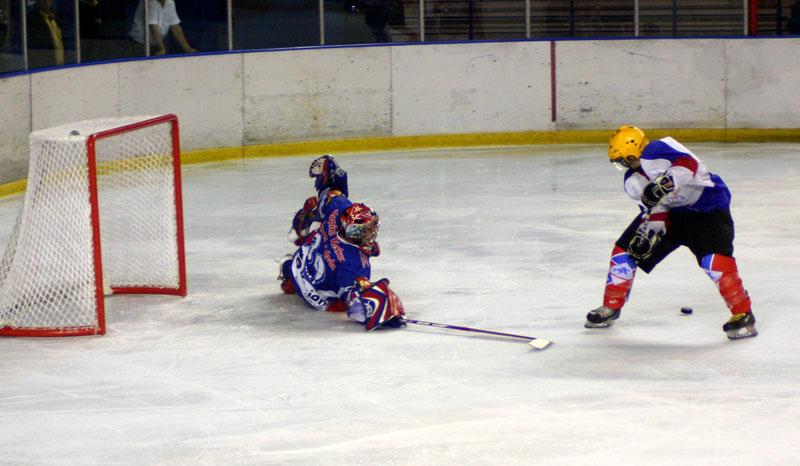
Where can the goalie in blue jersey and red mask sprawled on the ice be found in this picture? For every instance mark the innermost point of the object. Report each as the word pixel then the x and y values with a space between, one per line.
pixel 330 270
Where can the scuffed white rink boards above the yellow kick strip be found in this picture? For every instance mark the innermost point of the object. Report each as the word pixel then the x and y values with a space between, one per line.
pixel 242 100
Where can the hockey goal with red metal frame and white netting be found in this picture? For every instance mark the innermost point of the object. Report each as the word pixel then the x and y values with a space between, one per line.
pixel 102 207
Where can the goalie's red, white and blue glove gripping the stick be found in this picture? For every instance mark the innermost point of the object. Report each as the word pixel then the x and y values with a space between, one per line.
pixel 375 304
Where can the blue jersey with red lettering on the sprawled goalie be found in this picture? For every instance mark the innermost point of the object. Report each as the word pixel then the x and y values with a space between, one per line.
pixel 325 268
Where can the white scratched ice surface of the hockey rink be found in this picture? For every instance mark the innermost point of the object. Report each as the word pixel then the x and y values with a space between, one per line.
pixel 509 239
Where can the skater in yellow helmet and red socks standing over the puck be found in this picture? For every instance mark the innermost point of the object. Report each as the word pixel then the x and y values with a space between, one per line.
pixel 682 204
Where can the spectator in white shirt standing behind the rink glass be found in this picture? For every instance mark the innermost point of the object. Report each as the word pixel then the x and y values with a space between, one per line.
pixel 162 18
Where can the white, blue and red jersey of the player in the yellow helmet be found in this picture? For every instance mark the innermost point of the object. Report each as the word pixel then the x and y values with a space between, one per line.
pixel 696 189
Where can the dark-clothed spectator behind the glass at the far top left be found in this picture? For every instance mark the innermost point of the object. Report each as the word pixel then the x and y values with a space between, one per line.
pixel 45 43
